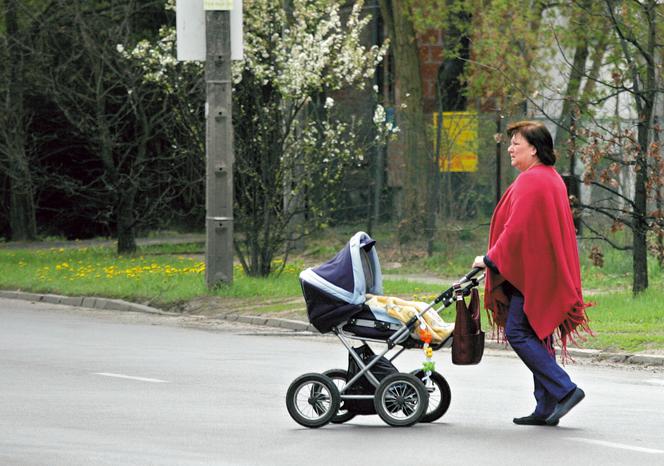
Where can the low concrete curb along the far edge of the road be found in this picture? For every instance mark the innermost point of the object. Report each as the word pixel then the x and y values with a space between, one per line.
pixel 294 325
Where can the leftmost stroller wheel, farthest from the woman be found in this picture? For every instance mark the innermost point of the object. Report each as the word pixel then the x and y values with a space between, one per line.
pixel 312 400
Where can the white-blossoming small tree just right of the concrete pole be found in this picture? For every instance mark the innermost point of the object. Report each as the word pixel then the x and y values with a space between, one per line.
pixel 292 148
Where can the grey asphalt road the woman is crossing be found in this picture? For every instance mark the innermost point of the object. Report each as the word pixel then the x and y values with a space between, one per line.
pixel 92 387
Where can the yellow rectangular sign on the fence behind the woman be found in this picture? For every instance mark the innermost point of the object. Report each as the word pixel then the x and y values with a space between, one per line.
pixel 458 142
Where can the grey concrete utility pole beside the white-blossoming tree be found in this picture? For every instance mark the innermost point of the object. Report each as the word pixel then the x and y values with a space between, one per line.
pixel 219 149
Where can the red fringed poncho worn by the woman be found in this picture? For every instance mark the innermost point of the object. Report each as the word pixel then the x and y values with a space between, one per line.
pixel 532 242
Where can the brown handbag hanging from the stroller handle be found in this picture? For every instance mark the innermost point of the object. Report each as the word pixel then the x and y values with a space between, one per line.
pixel 468 337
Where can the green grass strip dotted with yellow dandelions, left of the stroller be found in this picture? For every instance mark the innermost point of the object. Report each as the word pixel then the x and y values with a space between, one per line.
pixel 161 277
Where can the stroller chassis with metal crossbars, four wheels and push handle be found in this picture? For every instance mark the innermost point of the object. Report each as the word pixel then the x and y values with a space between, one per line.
pixel 400 399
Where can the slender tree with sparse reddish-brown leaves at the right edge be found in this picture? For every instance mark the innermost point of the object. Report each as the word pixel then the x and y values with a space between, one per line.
pixel 611 150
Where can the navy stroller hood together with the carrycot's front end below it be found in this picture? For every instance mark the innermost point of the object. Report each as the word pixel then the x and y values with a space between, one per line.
pixel 336 290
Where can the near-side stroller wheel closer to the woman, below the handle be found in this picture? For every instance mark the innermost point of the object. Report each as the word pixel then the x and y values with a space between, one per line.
pixel 401 400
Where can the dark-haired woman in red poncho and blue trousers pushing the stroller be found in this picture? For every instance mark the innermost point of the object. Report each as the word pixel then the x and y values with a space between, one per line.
pixel 533 288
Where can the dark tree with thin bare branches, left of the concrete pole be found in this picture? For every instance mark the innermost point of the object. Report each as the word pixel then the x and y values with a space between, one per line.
pixel 111 106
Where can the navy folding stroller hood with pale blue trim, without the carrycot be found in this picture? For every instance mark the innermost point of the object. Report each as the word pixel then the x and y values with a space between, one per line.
pixel 352 273
